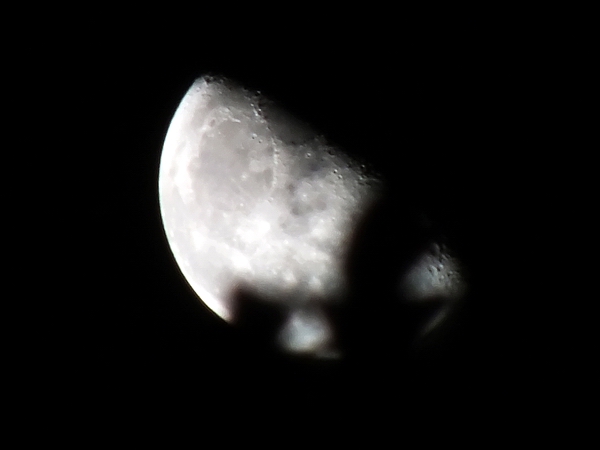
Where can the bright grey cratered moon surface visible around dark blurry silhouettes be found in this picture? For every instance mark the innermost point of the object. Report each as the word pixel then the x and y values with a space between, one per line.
pixel 252 198
